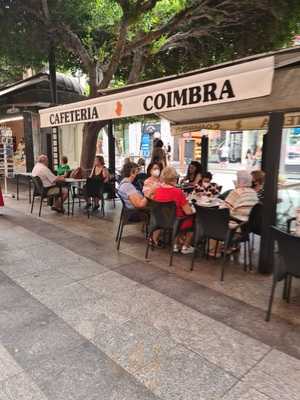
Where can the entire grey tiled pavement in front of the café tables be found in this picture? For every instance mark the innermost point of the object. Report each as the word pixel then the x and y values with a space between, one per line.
pixel 79 320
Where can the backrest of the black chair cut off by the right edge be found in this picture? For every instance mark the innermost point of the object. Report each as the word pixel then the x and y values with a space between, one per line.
pixel 289 251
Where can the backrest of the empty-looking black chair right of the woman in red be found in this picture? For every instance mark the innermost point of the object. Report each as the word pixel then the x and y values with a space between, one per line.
pixel 212 222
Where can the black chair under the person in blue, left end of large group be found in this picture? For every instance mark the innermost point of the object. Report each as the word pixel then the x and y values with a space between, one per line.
pixel 130 216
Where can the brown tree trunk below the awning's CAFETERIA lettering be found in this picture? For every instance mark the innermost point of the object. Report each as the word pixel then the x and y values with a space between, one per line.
pixel 89 141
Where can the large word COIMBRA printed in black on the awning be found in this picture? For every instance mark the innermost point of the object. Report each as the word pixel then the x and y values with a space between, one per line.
pixel 188 96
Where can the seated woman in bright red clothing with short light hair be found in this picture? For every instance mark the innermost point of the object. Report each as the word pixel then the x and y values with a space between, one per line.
pixel 169 192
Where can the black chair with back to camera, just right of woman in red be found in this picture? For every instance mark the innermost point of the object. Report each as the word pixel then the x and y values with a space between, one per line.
pixel 213 223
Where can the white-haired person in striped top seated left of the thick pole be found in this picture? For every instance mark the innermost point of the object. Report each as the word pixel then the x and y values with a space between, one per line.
pixel 241 200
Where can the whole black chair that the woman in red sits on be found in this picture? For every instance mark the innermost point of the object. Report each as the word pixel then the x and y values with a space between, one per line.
pixel 163 218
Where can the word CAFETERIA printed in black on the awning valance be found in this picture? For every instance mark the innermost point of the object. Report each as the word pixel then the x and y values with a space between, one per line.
pixel 67 117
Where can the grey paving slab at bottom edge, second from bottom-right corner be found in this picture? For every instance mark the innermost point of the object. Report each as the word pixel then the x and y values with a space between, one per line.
pixel 185 375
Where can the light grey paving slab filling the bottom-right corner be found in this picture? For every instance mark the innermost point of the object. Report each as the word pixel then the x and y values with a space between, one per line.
pixel 276 376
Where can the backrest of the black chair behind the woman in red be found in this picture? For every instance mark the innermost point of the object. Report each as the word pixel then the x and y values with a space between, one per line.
pixel 162 215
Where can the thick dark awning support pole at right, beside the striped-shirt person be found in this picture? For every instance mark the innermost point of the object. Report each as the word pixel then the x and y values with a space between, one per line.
pixel 271 156
